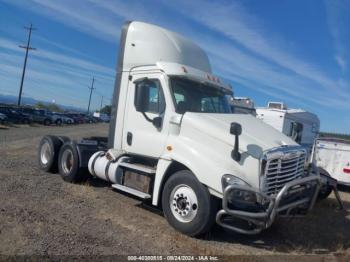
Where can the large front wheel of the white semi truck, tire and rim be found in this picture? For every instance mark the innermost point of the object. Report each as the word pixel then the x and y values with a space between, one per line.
pixel 187 204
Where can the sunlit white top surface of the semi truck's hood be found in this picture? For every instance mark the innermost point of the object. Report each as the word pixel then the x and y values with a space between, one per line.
pixel 256 136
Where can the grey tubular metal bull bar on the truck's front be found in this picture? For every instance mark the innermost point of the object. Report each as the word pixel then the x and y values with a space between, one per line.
pixel 263 220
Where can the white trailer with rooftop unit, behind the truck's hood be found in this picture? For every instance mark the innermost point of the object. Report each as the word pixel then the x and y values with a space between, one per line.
pixel 302 126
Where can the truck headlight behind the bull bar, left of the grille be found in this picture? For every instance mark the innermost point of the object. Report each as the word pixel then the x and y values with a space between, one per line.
pixel 238 195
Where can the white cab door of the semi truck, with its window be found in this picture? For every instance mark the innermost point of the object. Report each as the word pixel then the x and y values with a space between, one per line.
pixel 140 135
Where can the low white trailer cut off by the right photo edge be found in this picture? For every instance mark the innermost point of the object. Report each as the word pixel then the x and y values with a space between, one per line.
pixel 333 156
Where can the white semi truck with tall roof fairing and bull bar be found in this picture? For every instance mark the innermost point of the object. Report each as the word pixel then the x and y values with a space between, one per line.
pixel 174 141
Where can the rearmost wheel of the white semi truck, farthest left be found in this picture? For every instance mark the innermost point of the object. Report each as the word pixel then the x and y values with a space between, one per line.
pixel 48 153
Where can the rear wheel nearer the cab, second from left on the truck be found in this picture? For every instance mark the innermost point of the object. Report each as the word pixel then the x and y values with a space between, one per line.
pixel 69 163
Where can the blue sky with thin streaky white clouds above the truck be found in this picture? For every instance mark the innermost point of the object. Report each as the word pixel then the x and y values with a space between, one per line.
pixel 297 52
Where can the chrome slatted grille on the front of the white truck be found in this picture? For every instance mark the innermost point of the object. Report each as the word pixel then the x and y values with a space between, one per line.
pixel 281 169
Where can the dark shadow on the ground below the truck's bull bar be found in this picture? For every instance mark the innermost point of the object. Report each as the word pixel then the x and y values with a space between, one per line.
pixel 325 229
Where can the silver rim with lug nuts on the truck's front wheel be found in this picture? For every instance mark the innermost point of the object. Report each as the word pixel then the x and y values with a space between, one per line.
pixel 183 203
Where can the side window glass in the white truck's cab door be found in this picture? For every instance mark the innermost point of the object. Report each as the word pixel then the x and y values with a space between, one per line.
pixel 152 94
